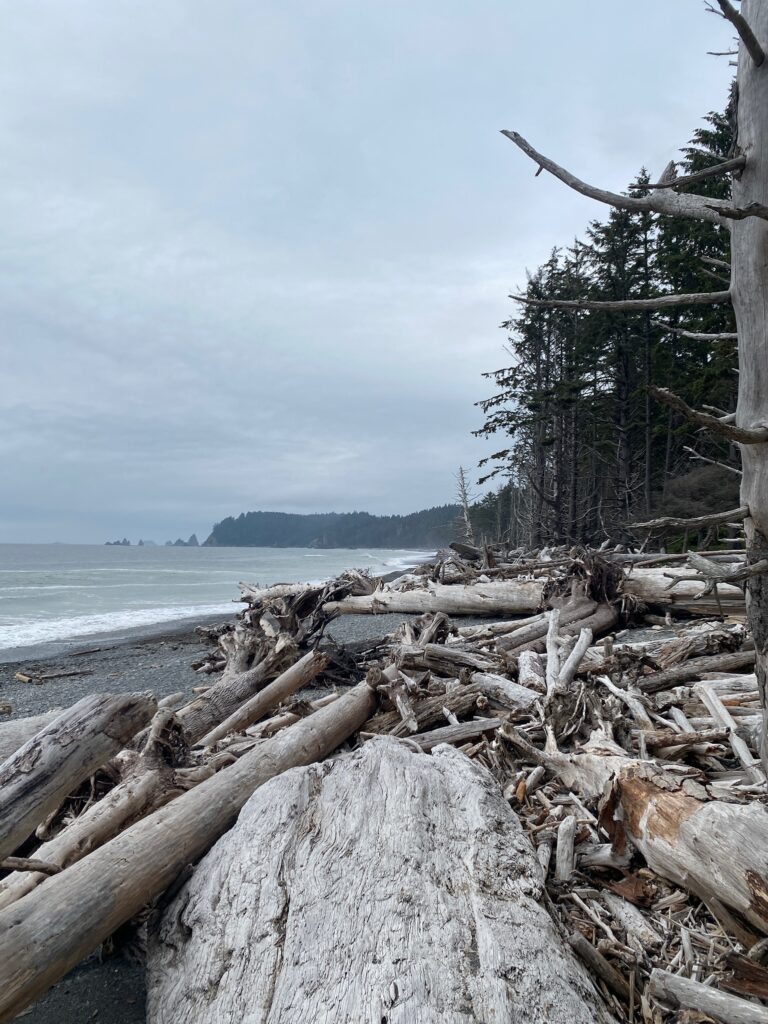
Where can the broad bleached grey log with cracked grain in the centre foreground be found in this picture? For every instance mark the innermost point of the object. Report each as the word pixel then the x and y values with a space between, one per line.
pixel 418 904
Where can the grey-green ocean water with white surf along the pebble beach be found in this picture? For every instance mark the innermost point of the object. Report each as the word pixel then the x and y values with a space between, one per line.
pixel 60 592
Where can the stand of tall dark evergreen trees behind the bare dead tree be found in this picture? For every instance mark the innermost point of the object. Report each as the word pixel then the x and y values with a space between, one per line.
pixel 584 446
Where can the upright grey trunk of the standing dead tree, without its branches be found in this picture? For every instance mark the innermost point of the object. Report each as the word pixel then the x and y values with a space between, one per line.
pixel 750 295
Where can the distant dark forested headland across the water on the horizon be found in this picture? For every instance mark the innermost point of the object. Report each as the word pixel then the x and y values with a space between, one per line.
pixel 429 530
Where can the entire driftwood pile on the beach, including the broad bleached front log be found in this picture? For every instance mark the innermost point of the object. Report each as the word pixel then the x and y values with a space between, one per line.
pixel 591 845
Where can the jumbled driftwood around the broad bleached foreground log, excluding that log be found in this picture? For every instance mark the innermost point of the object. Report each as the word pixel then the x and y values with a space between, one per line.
pixel 627 751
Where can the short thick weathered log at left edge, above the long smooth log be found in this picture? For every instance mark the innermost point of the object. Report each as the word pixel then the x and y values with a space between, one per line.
pixel 57 760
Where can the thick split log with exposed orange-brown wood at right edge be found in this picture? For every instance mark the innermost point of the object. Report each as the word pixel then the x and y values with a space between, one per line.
pixel 715 849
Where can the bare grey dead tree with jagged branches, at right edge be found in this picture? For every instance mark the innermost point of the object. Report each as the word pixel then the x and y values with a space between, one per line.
pixel 745 216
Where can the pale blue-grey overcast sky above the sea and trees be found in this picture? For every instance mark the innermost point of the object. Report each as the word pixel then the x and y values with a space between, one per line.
pixel 254 254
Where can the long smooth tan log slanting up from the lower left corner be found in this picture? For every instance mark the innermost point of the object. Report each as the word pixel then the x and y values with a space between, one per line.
pixel 51 930
